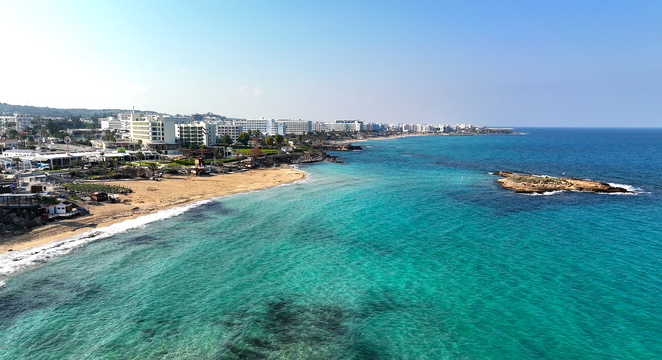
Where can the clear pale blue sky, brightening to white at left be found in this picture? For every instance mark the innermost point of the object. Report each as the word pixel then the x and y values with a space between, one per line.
pixel 487 63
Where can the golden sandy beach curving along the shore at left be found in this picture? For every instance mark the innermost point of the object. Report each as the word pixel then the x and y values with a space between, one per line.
pixel 149 196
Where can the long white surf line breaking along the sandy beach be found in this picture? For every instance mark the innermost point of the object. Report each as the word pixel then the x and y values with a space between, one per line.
pixel 18 260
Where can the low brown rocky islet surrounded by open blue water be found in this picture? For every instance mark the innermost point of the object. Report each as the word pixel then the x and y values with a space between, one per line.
pixel 529 184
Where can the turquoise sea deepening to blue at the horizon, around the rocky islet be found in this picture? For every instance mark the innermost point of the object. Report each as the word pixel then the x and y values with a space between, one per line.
pixel 409 250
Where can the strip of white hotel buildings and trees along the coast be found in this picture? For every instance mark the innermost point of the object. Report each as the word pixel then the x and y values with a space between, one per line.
pixel 169 134
